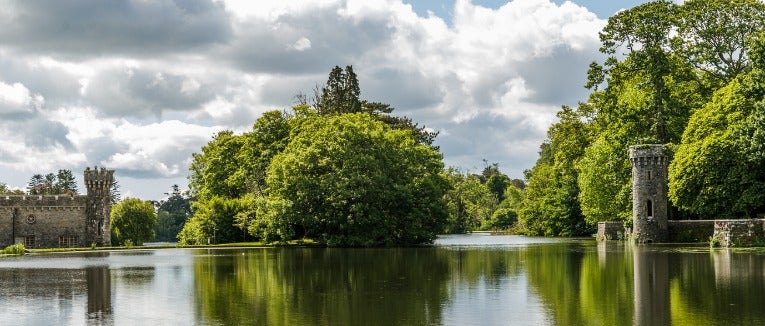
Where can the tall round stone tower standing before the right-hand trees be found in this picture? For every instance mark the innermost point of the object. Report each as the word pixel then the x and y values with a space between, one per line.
pixel 649 193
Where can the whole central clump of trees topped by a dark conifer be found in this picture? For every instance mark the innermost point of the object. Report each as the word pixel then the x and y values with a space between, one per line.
pixel 343 172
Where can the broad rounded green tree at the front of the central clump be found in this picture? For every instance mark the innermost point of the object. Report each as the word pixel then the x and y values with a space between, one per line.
pixel 349 180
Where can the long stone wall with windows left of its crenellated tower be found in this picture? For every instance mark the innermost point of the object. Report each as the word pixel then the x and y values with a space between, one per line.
pixel 43 221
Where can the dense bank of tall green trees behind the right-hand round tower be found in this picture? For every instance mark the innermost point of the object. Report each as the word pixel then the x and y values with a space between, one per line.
pixel 680 74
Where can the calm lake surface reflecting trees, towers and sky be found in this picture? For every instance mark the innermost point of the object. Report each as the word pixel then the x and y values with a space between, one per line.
pixel 463 280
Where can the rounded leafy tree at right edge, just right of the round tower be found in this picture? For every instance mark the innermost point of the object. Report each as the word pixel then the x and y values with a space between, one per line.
pixel 719 168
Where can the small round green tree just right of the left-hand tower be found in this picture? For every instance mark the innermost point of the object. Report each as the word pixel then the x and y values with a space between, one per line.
pixel 133 220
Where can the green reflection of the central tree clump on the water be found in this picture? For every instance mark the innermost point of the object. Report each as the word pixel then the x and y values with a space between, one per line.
pixel 322 287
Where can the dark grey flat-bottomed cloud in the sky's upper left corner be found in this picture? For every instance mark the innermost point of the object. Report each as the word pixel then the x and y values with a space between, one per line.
pixel 84 28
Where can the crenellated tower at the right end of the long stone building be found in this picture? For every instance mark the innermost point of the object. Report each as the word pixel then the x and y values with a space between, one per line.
pixel 98 183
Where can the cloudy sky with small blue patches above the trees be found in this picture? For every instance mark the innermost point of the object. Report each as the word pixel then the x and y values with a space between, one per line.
pixel 138 86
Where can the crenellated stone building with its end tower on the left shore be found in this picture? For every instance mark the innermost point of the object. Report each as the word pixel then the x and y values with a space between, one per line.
pixel 62 220
